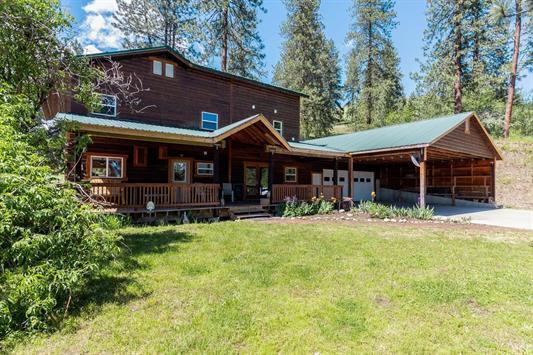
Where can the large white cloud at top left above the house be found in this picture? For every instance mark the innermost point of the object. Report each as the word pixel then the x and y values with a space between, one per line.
pixel 97 32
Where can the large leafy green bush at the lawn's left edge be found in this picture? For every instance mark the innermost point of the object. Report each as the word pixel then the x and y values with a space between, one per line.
pixel 51 244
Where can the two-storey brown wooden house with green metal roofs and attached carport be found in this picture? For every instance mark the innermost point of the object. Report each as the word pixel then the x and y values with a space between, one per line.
pixel 207 135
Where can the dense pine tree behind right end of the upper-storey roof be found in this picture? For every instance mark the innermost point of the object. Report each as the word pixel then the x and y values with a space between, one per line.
pixel 310 63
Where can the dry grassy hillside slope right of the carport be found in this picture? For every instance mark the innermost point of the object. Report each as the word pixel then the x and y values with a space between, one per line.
pixel 514 175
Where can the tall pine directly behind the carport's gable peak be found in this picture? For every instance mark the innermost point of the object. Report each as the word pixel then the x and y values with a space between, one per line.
pixel 466 55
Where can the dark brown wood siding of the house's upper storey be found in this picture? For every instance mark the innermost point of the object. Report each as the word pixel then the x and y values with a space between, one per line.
pixel 179 101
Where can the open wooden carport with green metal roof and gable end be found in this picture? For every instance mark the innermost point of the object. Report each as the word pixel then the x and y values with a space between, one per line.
pixel 446 160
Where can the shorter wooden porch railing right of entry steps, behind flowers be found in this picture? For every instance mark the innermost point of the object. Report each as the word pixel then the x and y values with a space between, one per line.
pixel 305 192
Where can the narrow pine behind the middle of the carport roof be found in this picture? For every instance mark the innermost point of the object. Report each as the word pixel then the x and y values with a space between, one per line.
pixel 373 83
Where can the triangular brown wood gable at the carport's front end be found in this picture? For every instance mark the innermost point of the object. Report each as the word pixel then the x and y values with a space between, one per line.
pixel 475 143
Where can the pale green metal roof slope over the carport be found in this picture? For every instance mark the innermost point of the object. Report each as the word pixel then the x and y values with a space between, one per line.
pixel 395 136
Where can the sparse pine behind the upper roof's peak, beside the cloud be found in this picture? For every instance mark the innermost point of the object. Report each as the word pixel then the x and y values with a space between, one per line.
pixel 149 23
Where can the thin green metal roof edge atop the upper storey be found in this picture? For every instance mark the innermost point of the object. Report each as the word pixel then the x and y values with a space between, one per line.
pixel 192 65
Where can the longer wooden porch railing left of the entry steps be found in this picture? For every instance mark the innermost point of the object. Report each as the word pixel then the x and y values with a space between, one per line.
pixel 137 195
